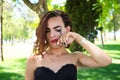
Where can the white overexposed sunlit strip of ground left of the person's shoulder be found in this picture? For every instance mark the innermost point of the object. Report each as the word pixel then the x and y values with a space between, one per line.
pixel 17 50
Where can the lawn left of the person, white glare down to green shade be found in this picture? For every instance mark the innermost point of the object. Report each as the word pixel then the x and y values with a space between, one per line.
pixel 13 67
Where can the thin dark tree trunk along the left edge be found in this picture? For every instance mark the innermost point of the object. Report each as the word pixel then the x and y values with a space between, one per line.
pixel 1 19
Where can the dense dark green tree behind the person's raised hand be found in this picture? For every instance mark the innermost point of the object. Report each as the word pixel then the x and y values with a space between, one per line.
pixel 83 14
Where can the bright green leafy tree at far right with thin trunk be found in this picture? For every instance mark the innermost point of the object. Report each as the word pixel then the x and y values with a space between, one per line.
pixel 109 18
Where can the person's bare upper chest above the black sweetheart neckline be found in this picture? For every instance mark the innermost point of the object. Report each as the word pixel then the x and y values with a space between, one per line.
pixel 55 63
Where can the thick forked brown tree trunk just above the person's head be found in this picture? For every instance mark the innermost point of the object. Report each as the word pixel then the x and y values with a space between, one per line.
pixel 40 8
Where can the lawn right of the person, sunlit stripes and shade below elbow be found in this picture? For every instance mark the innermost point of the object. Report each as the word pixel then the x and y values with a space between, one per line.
pixel 111 72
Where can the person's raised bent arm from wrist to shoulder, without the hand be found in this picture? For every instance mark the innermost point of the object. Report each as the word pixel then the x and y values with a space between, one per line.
pixel 97 58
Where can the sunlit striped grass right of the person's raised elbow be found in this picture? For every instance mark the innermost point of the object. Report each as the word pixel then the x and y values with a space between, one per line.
pixel 112 48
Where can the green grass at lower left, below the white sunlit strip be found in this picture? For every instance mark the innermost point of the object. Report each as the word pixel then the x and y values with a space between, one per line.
pixel 12 69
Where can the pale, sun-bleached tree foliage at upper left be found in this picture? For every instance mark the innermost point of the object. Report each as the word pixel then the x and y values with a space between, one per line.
pixel 21 22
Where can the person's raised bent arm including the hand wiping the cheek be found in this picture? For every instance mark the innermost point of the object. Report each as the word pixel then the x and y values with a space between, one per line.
pixel 97 58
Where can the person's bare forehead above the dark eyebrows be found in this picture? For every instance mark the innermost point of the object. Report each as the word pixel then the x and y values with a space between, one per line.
pixel 55 21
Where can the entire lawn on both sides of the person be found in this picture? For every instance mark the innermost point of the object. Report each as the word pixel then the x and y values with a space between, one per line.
pixel 13 67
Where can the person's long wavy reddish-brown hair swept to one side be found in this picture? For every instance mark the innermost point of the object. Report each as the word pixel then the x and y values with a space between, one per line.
pixel 41 43
